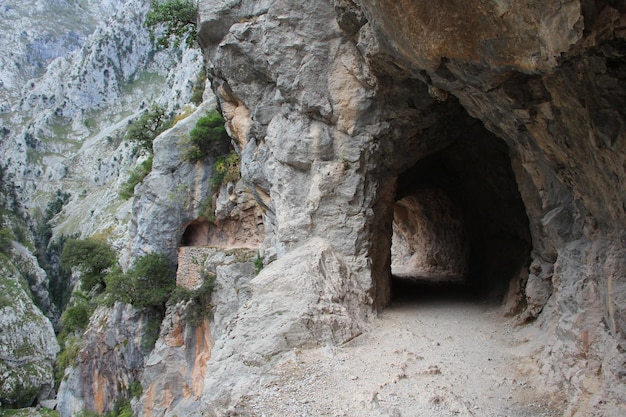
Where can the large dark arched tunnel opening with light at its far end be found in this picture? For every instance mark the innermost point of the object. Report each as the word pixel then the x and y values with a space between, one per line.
pixel 460 230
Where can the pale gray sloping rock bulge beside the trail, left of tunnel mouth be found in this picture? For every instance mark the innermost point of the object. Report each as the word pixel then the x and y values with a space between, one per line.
pixel 307 298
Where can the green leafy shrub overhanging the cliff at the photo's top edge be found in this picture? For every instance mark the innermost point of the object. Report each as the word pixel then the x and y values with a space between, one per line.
pixel 179 17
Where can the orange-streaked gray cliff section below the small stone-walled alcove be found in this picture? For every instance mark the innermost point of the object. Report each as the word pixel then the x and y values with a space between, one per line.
pixel 176 370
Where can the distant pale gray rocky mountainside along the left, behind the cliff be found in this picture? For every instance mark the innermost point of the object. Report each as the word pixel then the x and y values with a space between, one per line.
pixel 73 76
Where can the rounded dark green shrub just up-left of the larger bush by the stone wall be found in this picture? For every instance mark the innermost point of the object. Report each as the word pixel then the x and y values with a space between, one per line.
pixel 93 257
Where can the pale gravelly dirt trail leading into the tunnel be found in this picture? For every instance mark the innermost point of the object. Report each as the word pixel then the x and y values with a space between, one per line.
pixel 453 358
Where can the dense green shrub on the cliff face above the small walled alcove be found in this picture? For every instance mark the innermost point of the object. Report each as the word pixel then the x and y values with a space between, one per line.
pixel 209 137
